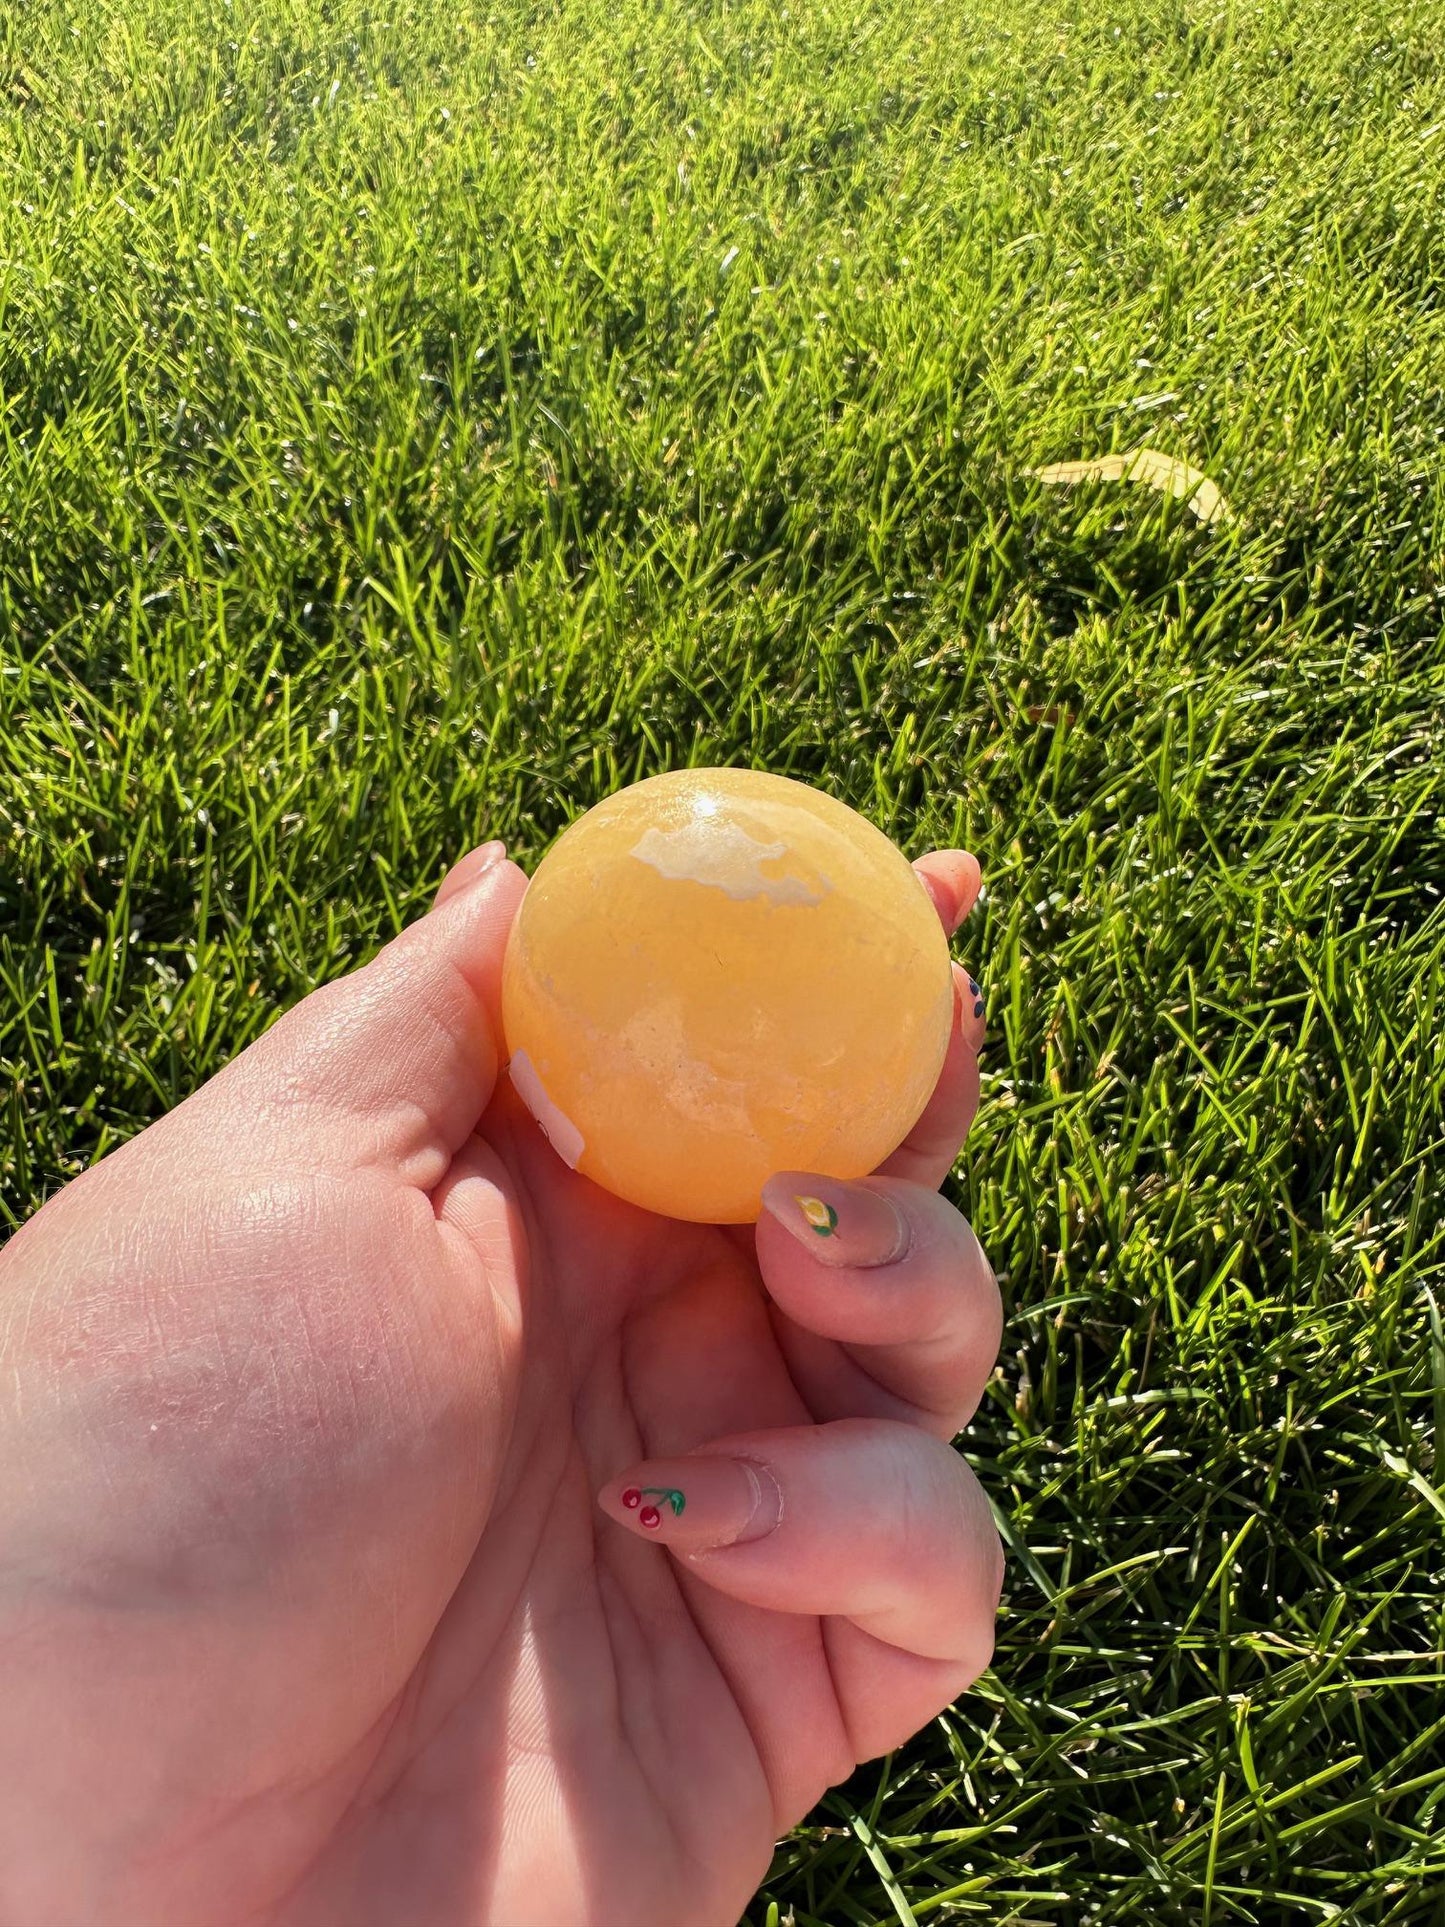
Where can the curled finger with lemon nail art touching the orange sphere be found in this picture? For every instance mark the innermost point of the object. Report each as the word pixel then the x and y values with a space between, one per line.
pixel 891 1306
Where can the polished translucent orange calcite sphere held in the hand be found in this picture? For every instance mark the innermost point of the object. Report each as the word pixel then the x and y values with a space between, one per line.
pixel 718 976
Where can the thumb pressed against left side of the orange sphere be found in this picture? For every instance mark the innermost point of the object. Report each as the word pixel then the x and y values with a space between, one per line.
pixel 398 1061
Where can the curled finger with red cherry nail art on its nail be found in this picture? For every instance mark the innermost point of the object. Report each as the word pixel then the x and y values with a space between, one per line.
pixel 864 1519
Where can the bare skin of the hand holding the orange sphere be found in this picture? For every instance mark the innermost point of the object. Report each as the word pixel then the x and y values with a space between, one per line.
pixel 319 1598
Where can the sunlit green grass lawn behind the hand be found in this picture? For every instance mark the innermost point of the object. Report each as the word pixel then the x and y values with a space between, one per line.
pixel 421 419
